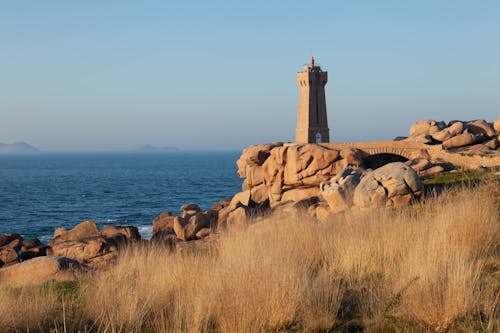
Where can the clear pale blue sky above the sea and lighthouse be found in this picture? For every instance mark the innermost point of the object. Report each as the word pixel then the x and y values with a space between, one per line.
pixel 114 75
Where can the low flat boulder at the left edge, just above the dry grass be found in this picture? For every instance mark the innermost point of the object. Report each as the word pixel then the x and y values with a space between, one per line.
pixel 42 269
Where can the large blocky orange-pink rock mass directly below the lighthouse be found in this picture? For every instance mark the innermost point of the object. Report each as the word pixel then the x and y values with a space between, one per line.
pixel 275 173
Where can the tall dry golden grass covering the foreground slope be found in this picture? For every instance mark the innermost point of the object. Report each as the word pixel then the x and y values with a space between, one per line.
pixel 429 267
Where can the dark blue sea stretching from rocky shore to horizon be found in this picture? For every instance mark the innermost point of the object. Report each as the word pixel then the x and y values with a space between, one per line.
pixel 40 192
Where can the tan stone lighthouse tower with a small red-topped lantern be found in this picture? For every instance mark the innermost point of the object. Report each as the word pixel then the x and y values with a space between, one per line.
pixel 312 123
